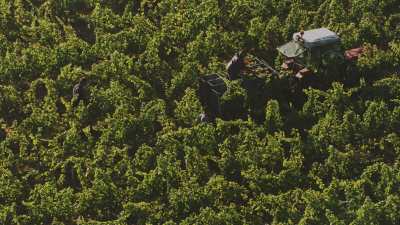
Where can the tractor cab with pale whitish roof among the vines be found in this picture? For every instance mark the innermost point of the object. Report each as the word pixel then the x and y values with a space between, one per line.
pixel 310 50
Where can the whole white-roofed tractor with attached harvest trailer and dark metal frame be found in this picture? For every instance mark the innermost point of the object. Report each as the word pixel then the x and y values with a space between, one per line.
pixel 309 53
